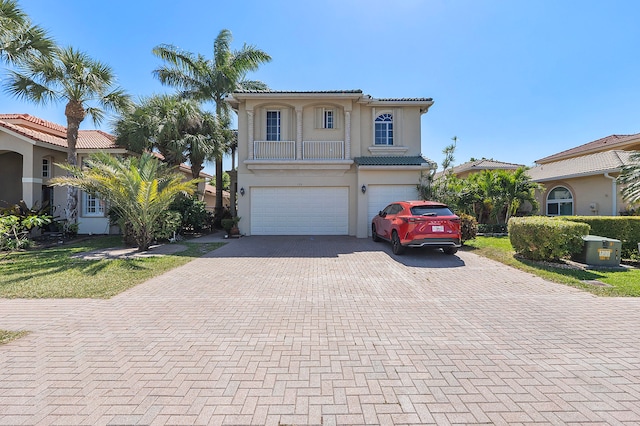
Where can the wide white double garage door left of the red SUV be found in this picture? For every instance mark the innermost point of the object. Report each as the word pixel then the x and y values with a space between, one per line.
pixel 300 211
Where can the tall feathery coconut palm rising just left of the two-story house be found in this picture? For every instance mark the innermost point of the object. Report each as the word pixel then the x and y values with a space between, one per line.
pixel 211 79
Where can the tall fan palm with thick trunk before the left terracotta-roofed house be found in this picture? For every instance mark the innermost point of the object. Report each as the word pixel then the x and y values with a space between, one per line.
pixel 72 77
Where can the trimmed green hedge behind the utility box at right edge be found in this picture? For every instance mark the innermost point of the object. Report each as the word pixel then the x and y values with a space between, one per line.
pixel 623 228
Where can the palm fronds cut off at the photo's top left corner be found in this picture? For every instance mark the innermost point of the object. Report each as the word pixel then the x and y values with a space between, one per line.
pixel 19 38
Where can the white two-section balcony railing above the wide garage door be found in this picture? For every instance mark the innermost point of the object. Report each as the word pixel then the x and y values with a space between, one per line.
pixel 286 150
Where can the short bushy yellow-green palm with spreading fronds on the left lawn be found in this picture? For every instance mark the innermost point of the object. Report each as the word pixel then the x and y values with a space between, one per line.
pixel 138 189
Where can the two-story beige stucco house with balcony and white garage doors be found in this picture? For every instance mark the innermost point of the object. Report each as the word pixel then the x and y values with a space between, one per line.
pixel 324 163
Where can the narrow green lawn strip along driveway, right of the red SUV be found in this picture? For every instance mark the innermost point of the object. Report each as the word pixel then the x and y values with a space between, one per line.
pixel 624 283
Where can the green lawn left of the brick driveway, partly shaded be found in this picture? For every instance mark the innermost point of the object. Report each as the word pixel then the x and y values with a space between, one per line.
pixel 53 273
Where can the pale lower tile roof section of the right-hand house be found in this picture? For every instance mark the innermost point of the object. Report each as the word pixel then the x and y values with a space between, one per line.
pixel 586 165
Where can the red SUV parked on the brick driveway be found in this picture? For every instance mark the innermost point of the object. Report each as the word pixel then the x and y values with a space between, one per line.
pixel 417 224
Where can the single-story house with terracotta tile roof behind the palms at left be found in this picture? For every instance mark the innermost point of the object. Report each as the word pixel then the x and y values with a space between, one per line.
pixel 29 149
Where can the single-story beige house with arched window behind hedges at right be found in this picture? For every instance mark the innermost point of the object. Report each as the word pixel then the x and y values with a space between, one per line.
pixel 582 180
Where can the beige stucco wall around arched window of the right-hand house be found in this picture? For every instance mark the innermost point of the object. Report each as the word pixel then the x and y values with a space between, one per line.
pixel 586 191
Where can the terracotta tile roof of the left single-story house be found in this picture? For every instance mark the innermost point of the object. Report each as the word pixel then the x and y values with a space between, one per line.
pixel 44 131
